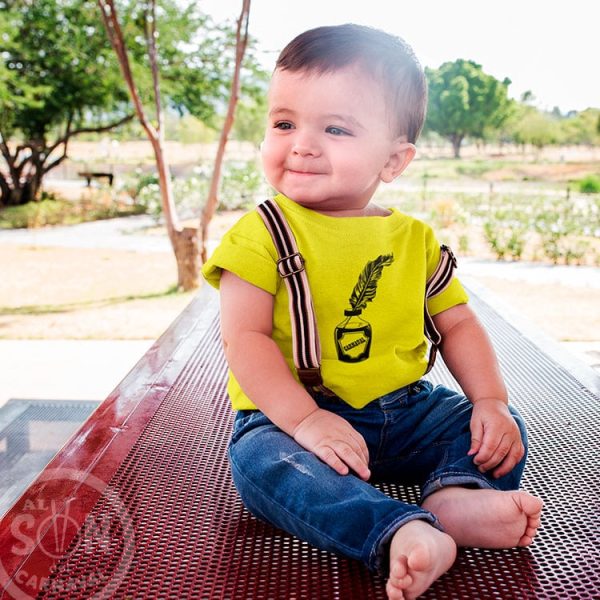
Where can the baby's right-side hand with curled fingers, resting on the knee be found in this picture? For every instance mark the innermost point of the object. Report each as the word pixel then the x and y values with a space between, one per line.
pixel 495 437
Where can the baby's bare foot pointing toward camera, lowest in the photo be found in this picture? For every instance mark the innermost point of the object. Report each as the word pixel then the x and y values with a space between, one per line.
pixel 419 554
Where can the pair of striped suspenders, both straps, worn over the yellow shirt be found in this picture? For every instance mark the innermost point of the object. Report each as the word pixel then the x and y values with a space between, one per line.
pixel 305 337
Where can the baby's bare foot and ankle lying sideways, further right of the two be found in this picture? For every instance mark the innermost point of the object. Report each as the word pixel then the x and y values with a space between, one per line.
pixel 486 518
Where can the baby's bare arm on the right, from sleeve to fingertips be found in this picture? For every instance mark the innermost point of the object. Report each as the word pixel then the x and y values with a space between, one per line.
pixel 496 440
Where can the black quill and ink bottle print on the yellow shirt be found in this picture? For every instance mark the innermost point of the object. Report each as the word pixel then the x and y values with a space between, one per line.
pixel 353 335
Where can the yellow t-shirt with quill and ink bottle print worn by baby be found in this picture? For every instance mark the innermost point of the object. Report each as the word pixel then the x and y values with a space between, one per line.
pixel 367 277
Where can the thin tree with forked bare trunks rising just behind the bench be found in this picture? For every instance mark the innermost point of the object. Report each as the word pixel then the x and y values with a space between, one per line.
pixel 185 92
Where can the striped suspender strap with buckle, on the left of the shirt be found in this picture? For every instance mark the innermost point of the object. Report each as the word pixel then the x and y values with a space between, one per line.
pixel 305 337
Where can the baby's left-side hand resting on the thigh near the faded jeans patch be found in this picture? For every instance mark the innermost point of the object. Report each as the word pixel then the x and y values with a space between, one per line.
pixel 335 442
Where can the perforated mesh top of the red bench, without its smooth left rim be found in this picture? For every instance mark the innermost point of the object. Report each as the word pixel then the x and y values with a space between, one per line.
pixel 170 524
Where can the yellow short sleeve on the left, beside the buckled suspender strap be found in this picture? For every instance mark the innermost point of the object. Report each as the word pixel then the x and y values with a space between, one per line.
pixel 247 251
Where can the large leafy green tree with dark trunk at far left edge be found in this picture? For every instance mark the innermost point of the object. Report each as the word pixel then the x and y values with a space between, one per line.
pixel 57 79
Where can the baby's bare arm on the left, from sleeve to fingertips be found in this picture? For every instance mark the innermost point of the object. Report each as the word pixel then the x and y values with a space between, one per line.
pixel 263 374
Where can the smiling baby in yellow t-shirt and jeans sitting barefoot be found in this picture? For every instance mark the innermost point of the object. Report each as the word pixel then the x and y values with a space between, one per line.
pixel 346 105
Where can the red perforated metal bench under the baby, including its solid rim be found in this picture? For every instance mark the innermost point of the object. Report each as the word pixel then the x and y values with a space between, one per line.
pixel 140 503
